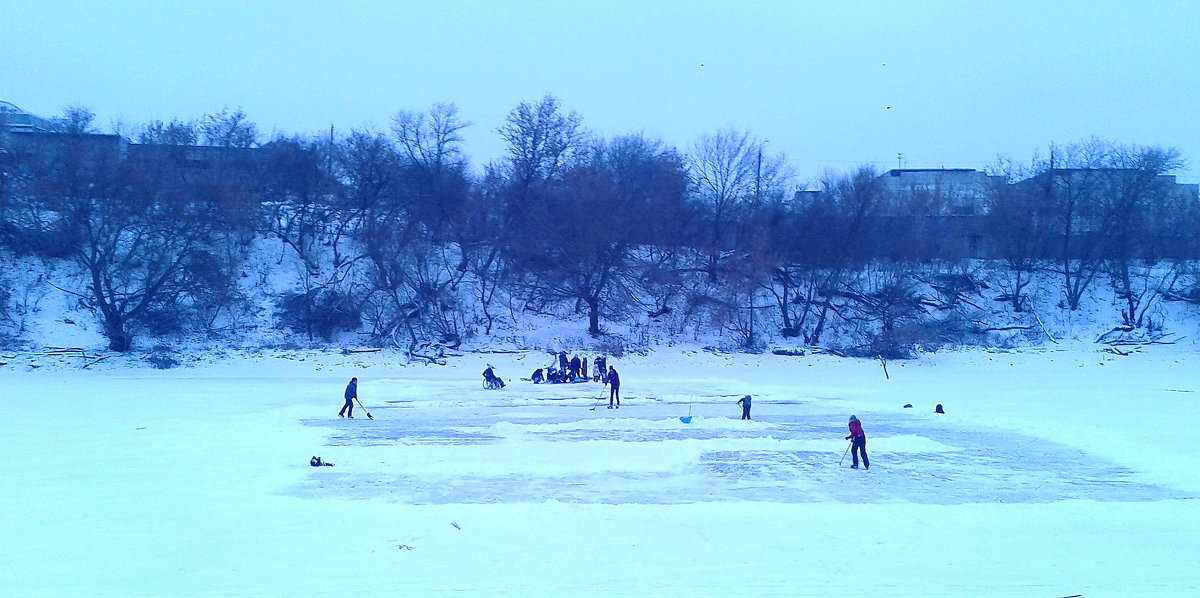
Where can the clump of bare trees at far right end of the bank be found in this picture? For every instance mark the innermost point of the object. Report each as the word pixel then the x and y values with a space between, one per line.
pixel 1094 211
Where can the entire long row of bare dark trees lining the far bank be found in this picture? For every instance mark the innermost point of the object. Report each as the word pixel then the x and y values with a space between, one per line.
pixel 394 235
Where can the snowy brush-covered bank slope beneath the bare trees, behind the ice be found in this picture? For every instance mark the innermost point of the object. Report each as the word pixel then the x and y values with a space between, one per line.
pixel 939 307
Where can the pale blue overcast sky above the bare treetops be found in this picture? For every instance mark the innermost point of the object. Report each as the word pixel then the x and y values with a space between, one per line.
pixel 832 85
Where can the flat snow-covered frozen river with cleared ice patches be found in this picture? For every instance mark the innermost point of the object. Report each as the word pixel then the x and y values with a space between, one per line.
pixel 1053 474
